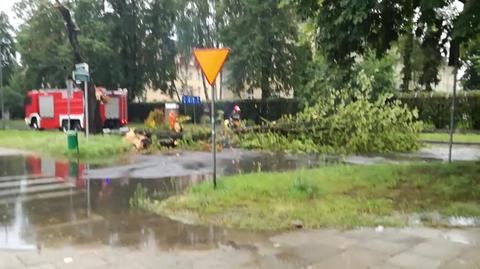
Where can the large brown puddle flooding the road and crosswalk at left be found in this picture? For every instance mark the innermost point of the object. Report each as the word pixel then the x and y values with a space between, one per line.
pixel 45 203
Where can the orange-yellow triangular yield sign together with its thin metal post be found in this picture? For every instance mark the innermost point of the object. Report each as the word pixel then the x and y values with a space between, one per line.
pixel 211 62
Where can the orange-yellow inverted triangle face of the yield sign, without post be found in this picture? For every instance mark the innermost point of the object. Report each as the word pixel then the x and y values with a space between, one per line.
pixel 211 62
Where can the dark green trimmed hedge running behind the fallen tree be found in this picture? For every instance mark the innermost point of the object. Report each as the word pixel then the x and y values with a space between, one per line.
pixel 434 108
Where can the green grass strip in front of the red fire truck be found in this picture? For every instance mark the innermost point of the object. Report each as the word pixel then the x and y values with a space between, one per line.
pixel 99 148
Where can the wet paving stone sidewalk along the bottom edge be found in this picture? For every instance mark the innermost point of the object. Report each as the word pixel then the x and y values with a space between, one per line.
pixel 363 248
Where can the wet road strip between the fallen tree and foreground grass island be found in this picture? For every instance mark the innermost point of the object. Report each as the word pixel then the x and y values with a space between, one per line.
pixel 234 161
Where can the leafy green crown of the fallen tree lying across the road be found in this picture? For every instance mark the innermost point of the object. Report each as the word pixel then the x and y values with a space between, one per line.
pixel 347 121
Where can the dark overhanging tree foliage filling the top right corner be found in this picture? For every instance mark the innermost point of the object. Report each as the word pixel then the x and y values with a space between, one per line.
pixel 346 28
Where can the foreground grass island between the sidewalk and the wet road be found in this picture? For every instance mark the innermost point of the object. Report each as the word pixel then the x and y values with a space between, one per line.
pixel 336 196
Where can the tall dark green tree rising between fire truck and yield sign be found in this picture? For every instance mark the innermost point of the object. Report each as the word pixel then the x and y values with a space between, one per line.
pixel 142 38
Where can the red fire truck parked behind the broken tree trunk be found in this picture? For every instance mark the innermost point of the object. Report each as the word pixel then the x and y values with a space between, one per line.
pixel 48 109
